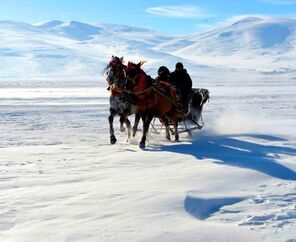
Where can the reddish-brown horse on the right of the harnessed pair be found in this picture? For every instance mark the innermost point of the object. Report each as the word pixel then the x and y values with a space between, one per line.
pixel 152 101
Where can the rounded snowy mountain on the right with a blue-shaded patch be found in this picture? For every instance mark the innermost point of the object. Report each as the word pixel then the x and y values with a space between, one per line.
pixel 262 43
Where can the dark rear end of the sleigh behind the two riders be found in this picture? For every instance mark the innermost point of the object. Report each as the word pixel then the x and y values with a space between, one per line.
pixel 199 97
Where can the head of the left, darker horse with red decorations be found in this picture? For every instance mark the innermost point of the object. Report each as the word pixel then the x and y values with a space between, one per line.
pixel 116 71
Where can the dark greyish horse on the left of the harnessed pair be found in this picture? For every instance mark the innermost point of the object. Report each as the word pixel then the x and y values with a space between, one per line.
pixel 116 78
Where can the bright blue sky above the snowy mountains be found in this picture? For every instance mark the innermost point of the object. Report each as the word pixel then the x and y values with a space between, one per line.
pixel 175 17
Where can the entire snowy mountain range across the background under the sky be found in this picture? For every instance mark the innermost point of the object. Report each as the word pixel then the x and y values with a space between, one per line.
pixel 75 50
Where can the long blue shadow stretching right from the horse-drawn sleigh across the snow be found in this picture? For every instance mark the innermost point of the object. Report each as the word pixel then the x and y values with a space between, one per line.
pixel 230 150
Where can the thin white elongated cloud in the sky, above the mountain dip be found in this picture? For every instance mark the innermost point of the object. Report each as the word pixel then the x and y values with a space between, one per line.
pixel 178 11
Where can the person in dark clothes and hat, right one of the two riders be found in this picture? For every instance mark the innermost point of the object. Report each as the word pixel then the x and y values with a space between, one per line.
pixel 181 79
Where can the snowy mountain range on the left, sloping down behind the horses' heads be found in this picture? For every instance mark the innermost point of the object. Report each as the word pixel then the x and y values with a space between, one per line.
pixel 73 50
